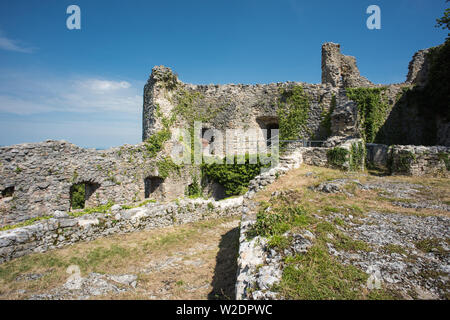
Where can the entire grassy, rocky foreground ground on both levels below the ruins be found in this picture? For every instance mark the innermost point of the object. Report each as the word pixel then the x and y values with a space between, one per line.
pixel 344 236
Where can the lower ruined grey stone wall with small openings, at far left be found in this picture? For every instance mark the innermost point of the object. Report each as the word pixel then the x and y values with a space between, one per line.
pixel 36 178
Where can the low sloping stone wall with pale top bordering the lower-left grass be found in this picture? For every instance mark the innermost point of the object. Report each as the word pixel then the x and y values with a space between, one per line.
pixel 63 230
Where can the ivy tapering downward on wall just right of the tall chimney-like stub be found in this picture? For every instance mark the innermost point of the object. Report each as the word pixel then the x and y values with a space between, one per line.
pixel 372 109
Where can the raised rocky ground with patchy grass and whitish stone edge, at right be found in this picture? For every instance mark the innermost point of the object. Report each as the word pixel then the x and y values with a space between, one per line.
pixel 393 229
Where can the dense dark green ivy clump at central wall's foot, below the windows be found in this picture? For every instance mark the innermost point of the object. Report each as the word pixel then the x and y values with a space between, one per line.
pixel 233 177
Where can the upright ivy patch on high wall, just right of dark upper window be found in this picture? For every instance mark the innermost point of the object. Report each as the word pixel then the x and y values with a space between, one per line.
pixel 293 113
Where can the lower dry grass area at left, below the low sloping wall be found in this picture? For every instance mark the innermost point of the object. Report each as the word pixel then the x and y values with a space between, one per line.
pixel 196 247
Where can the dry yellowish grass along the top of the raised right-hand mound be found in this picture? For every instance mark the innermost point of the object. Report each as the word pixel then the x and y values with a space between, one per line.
pixel 434 189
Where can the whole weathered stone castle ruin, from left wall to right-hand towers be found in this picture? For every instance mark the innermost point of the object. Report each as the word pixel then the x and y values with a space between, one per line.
pixel 38 178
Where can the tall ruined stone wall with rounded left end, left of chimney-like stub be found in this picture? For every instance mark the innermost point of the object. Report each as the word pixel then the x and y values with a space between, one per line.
pixel 231 106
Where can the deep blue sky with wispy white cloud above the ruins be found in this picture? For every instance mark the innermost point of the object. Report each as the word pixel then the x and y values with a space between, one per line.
pixel 85 86
